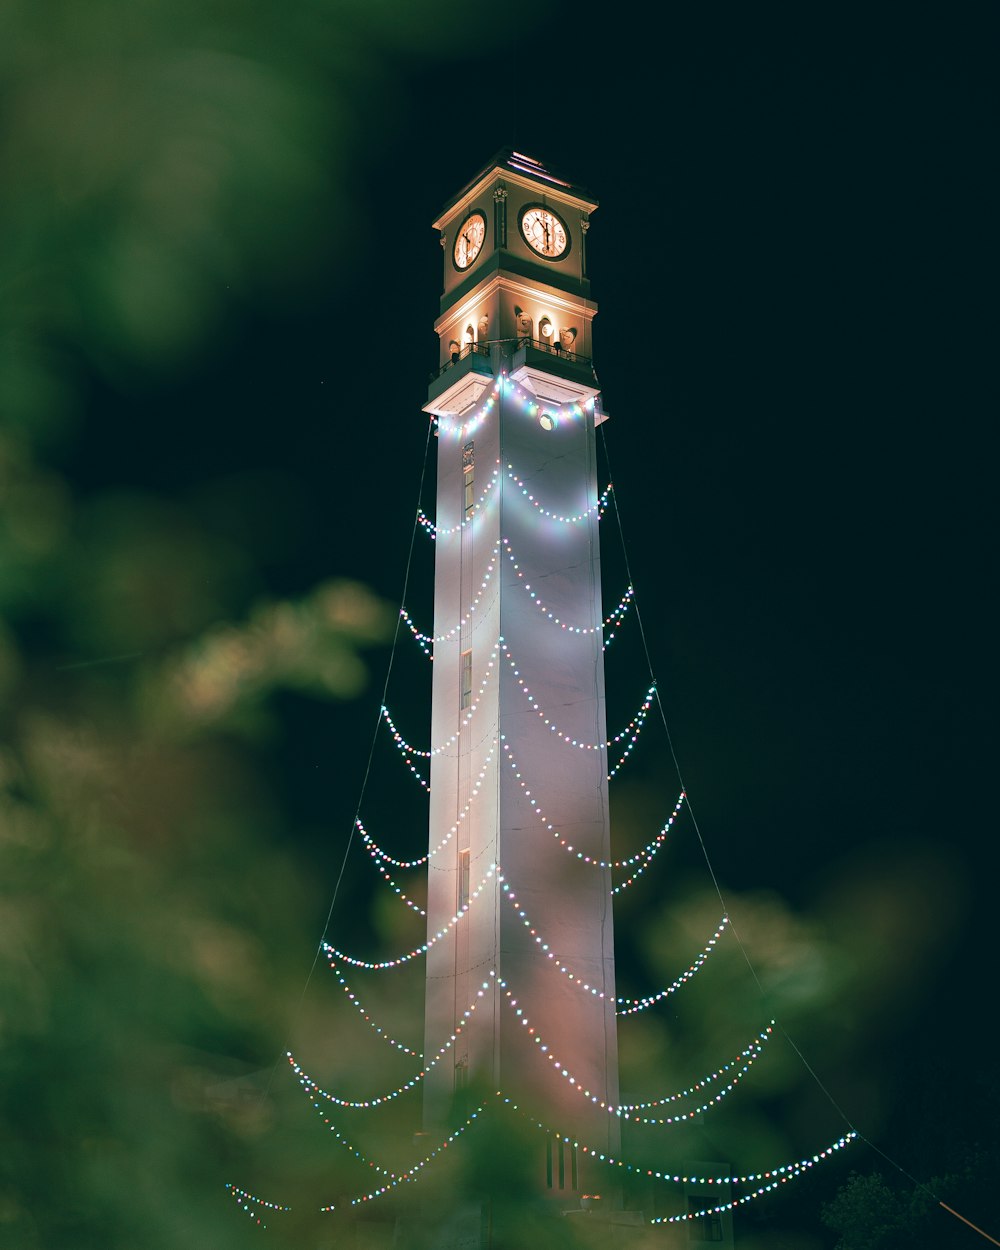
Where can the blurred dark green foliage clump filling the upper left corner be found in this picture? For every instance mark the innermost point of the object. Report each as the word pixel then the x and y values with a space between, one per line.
pixel 163 162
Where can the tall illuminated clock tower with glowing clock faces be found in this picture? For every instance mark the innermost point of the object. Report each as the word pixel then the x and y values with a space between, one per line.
pixel 521 979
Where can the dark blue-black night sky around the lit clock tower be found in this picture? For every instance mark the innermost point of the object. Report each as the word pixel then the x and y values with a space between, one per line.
pixel 789 266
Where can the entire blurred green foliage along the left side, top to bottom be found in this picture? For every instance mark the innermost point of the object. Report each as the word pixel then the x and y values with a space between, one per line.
pixel 167 171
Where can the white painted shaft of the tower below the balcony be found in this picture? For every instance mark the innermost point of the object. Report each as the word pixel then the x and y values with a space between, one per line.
pixel 568 902
